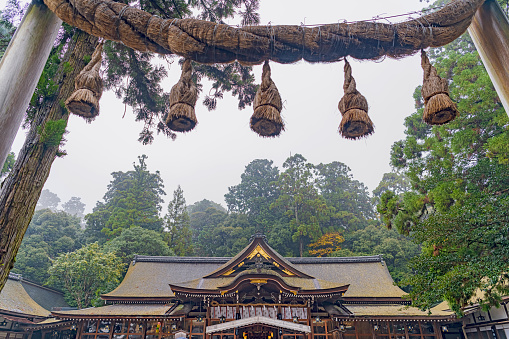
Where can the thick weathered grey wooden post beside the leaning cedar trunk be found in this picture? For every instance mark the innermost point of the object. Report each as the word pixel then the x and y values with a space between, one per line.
pixel 21 68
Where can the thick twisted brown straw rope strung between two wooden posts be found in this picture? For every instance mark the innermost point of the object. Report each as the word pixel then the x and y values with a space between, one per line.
pixel 208 42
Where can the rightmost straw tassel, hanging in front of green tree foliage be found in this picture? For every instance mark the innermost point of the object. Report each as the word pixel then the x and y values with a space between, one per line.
pixel 438 106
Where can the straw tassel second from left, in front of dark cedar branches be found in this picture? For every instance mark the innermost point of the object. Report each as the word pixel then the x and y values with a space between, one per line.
pixel 183 96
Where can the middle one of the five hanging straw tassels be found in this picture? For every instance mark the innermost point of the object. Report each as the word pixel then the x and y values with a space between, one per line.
pixel 266 120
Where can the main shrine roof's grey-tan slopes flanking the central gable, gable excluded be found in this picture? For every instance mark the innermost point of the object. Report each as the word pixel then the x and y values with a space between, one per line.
pixel 149 277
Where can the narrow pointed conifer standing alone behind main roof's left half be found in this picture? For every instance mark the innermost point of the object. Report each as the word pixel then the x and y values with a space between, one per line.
pixel 177 225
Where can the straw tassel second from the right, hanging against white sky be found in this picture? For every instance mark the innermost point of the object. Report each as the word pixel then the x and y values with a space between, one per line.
pixel 354 108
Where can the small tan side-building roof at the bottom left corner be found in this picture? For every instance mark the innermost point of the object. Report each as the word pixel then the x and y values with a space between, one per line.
pixel 15 299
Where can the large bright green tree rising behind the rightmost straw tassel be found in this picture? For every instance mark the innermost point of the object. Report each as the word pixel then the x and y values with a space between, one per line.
pixel 459 206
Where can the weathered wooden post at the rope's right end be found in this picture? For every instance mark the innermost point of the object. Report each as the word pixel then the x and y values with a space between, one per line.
pixel 490 32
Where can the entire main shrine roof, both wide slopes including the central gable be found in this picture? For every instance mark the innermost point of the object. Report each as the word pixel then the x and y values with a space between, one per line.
pixel 150 278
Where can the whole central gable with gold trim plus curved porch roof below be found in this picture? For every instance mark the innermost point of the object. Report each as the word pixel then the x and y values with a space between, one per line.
pixel 258 273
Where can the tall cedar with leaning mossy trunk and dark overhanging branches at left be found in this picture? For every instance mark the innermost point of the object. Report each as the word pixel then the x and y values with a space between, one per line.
pixel 47 116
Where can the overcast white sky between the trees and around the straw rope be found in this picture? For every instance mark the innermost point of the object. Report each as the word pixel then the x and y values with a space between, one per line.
pixel 213 156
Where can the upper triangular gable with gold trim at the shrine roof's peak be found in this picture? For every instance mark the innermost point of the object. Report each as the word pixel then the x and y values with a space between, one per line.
pixel 258 255
